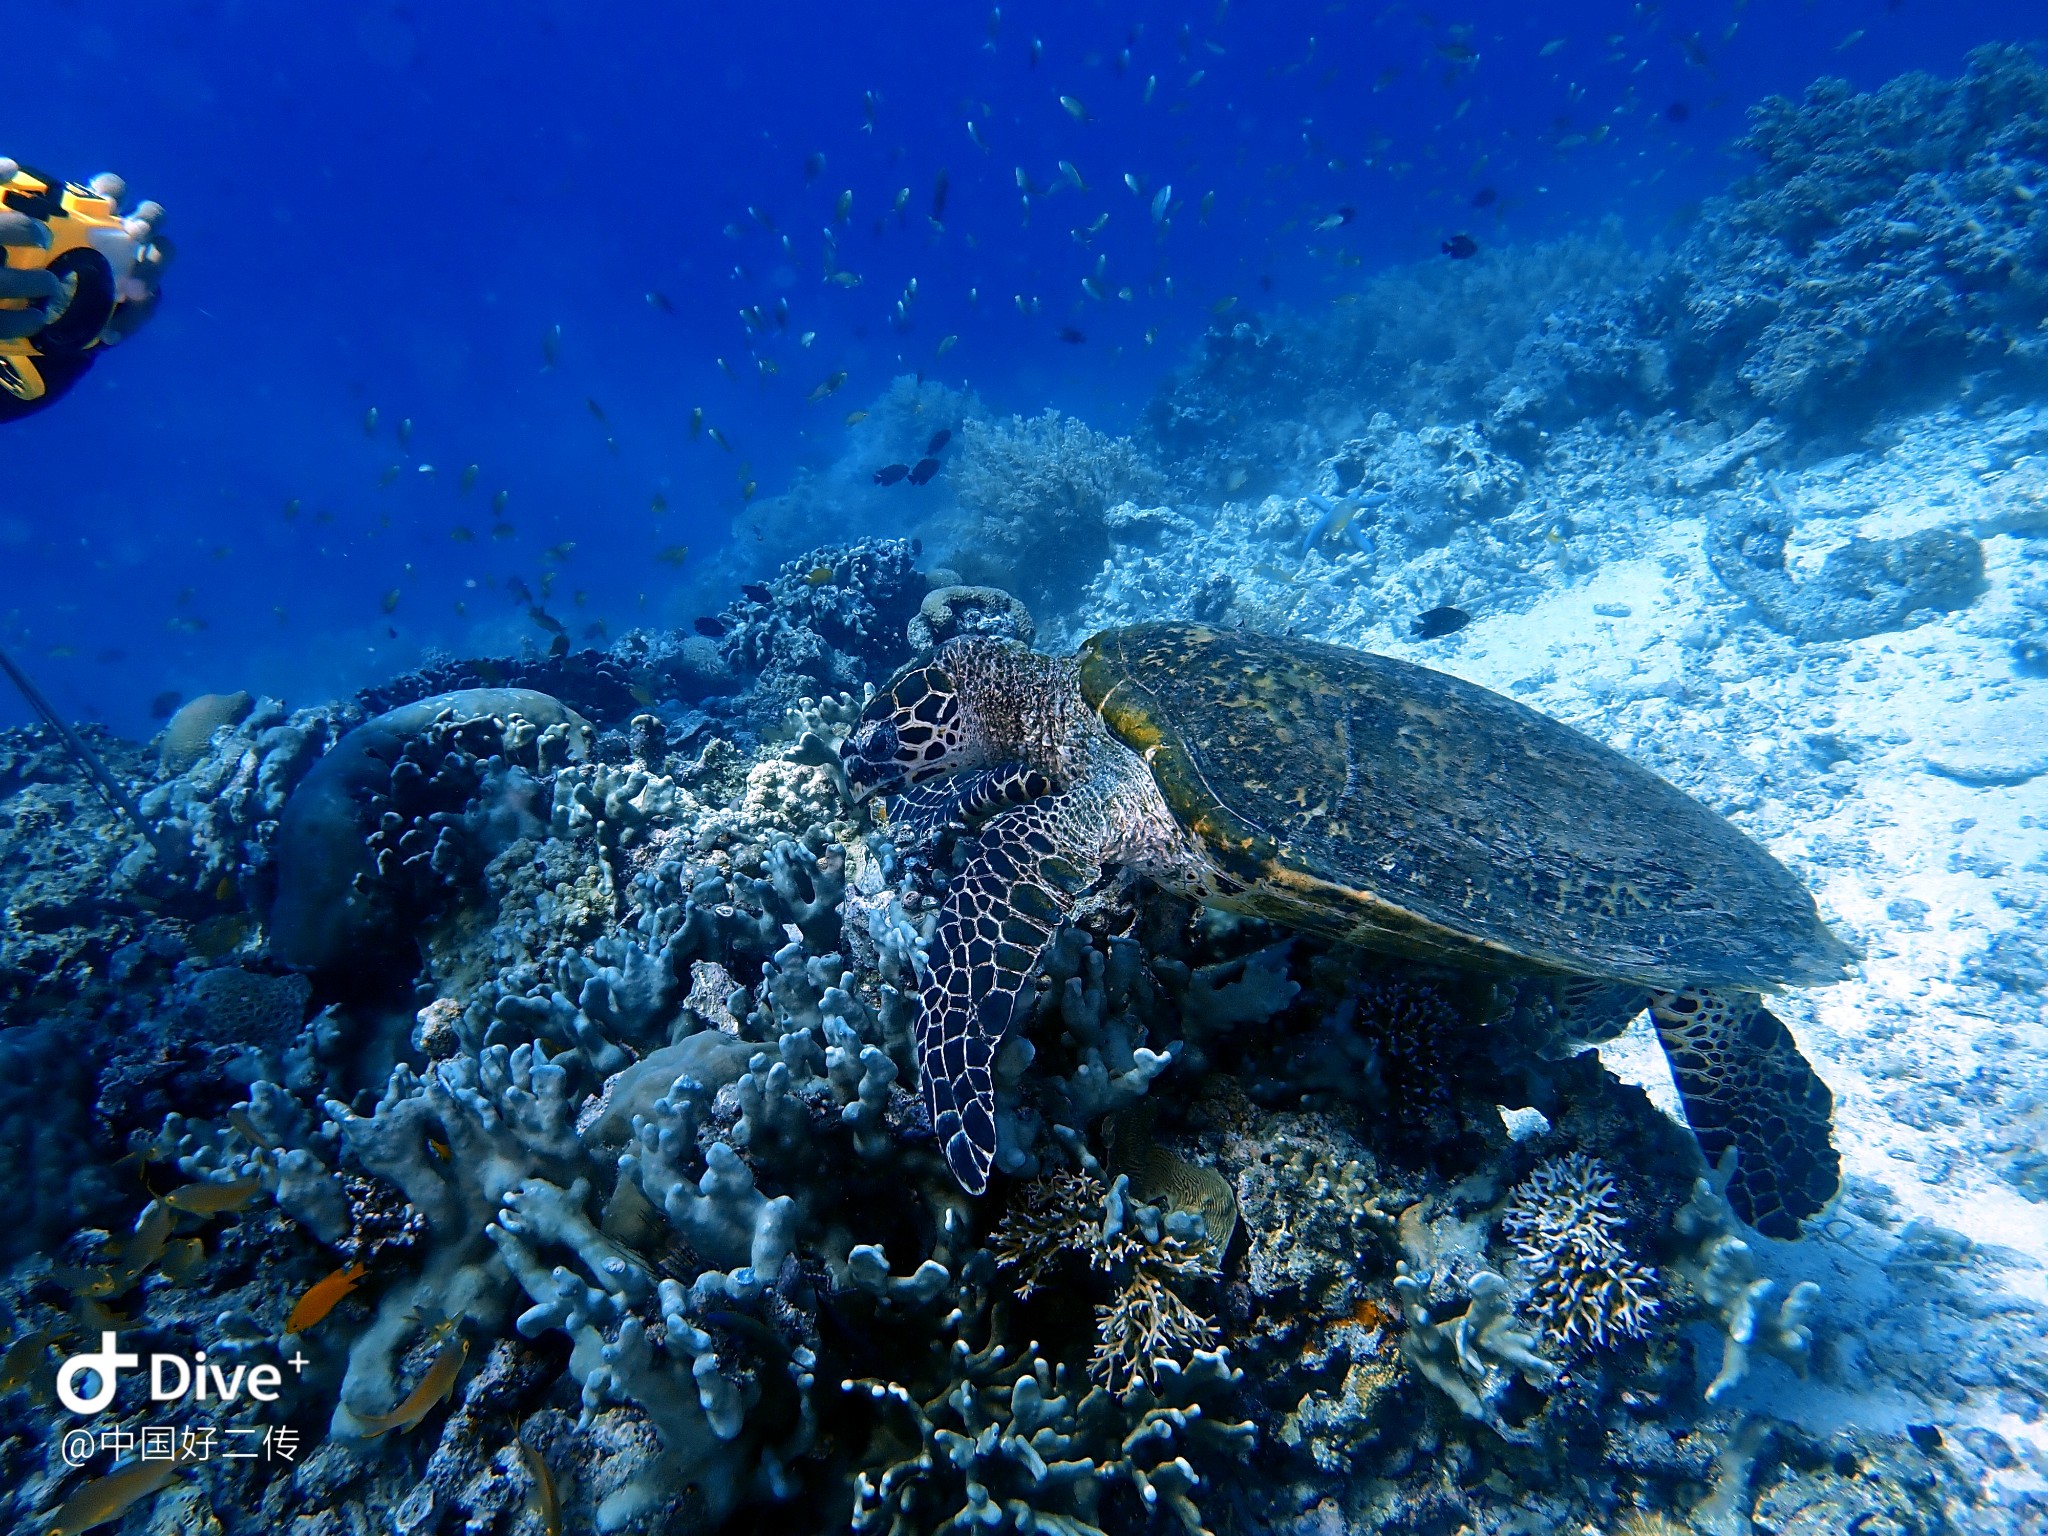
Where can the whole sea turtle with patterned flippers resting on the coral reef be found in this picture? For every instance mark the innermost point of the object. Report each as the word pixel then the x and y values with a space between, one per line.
pixel 1365 800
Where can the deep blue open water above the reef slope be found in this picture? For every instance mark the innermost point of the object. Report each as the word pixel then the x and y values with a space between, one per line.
pixel 396 206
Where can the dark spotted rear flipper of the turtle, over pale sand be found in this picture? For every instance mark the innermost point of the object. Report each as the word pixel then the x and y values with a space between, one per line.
pixel 1748 1086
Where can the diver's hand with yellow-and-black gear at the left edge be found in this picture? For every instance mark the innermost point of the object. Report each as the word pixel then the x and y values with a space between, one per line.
pixel 77 275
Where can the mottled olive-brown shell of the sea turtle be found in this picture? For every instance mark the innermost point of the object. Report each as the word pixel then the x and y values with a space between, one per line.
pixel 1406 810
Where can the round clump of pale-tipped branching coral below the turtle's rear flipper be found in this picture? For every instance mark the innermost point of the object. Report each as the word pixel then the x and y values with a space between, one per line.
pixel 1564 1224
